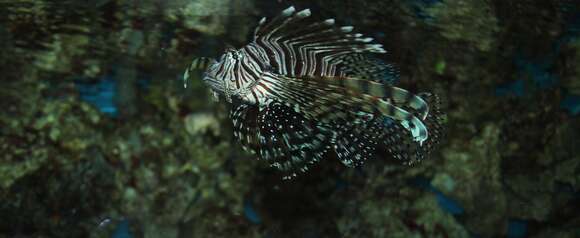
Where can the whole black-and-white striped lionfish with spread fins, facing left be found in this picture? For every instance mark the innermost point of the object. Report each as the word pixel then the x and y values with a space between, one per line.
pixel 306 90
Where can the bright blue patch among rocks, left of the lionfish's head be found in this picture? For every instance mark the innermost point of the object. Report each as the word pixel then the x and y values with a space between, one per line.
pixel 100 94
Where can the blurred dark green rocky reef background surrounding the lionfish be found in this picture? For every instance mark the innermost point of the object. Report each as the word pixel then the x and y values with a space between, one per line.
pixel 98 137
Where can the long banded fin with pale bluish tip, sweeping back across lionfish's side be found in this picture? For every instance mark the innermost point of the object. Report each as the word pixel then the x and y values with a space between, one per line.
pixel 324 101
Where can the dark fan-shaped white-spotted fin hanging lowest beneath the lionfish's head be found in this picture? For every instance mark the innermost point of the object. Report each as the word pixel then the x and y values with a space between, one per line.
pixel 276 133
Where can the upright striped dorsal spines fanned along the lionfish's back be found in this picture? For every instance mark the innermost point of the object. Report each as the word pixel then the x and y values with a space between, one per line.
pixel 298 47
